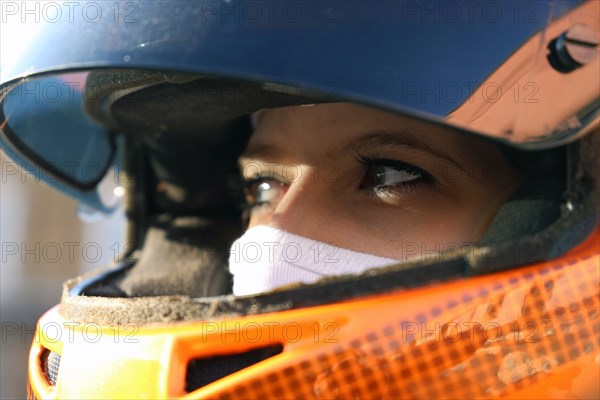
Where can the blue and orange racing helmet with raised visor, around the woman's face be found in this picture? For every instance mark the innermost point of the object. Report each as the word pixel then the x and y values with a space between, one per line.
pixel 147 105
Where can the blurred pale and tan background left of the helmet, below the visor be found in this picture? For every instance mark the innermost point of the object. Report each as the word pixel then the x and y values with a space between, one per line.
pixel 43 243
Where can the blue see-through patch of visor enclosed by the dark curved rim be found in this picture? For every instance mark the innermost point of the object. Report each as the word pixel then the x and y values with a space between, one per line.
pixel 45 120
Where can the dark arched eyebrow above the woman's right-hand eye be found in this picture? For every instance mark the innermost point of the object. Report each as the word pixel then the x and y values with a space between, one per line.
pixel 398 138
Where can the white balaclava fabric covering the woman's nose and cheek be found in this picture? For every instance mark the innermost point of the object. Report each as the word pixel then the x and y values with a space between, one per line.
pixel 266 258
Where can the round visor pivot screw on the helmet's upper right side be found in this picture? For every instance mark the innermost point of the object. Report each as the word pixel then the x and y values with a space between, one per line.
pixel 574 48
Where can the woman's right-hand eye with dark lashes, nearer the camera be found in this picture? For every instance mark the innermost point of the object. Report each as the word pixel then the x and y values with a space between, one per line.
pixel 385 175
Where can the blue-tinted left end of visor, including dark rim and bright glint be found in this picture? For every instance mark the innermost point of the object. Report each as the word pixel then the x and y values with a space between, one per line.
pixel 46 130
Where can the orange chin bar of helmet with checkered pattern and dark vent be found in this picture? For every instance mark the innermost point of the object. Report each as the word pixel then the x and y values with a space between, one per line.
pixel 532 332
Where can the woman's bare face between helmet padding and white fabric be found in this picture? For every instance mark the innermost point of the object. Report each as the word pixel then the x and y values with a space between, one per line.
pixel 371 181
